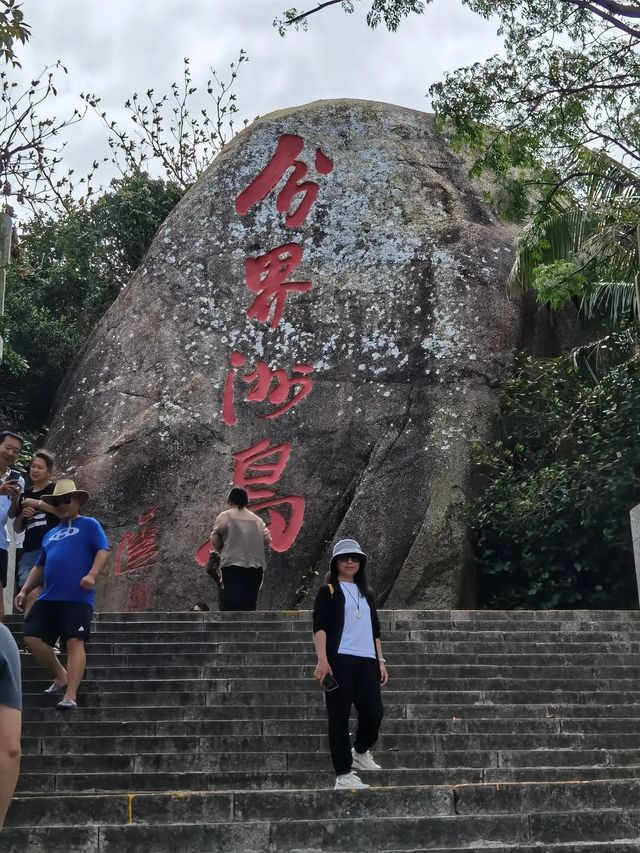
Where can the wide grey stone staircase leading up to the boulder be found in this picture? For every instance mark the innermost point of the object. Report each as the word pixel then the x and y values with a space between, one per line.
pixel 205 732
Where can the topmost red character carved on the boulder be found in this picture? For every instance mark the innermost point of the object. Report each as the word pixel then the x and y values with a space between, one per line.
pixel 285 157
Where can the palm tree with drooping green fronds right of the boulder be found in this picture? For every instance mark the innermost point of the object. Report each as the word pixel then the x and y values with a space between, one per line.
pixel 585 246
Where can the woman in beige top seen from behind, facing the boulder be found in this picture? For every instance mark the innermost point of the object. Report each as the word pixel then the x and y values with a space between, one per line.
pixel 240 537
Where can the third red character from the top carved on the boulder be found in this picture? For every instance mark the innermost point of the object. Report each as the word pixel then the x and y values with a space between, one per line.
pixel 269 385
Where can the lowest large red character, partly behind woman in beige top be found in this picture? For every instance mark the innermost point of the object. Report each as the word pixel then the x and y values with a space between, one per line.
pixel 256 469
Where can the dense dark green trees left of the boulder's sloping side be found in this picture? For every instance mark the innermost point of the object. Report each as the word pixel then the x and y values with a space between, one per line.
pixel 70 270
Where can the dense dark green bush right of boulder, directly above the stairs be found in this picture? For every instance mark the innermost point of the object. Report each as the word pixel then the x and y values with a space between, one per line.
pixel 552 526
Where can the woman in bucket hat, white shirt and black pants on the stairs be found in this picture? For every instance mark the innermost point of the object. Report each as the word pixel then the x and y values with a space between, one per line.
pixel 350 665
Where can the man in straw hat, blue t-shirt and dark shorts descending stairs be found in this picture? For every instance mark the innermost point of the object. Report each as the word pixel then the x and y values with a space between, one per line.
pixel 73 555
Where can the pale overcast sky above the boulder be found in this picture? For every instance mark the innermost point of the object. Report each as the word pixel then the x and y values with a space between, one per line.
pixel 116 47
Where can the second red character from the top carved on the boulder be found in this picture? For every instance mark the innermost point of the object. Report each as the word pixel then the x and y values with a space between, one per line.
pixel 266 276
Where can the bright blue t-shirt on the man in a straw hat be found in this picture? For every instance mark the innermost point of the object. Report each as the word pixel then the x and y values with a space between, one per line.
pixel 68 552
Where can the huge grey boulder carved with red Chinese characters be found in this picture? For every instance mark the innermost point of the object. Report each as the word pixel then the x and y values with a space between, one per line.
pixel 327 303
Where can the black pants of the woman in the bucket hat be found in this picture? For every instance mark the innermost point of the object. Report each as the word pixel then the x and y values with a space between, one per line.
pixel 359 680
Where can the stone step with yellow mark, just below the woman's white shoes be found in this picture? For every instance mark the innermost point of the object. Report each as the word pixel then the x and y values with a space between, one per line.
pixel 376 802
